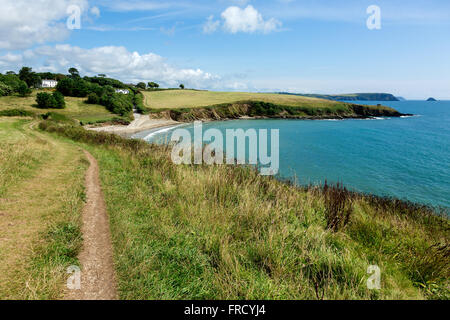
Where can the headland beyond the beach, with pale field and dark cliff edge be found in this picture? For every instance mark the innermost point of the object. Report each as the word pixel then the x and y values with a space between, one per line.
pixel 190 105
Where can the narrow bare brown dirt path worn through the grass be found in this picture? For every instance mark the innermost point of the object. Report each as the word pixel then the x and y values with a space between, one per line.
pixel 97 271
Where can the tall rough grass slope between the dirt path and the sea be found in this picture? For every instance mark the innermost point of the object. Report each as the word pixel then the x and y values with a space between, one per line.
pixel 201 232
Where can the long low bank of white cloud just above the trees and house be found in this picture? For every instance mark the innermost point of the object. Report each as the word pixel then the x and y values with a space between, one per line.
pixel 116 62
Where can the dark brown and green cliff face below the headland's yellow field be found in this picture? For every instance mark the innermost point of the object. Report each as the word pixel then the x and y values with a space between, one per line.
pixel 261 110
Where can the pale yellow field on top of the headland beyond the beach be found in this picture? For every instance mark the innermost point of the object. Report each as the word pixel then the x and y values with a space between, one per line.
pixel 192 99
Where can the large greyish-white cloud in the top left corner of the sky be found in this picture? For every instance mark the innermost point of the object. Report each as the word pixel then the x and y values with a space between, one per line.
pixel 24 23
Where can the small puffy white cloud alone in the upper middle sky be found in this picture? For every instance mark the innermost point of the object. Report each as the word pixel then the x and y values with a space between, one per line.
pixel 247 20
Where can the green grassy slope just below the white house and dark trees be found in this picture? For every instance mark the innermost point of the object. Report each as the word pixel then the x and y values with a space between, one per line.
pixel 75 108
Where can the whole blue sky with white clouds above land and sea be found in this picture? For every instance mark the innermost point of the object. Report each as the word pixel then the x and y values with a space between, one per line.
pixel 280 45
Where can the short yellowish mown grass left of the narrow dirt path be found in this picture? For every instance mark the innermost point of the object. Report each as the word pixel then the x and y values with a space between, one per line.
pixel 41 192
